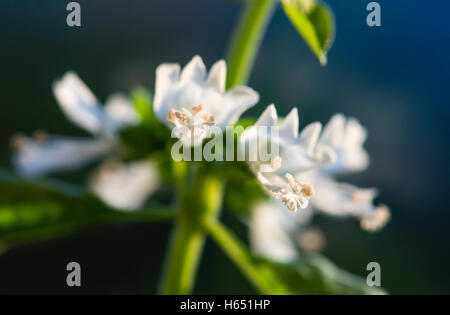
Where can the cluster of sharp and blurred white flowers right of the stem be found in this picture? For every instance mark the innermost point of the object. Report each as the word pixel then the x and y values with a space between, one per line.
pixel 314 157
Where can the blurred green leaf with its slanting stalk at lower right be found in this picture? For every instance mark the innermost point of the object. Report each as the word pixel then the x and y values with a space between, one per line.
pixel 311 274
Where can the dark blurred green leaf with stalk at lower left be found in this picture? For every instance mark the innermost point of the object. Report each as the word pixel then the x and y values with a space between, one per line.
pixel 35 210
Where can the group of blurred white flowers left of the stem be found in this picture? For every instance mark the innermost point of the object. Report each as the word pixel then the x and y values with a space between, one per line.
pixel 124 186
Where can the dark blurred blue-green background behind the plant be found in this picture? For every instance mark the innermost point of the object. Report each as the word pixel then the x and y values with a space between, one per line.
pixel 393 78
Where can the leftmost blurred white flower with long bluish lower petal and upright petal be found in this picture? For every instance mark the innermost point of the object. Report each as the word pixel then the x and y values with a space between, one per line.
pixel 44 154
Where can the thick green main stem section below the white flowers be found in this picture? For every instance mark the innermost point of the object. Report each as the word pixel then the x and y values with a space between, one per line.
pixel 200 202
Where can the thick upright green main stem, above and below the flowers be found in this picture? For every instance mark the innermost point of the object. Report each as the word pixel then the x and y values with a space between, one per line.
pixel 200 201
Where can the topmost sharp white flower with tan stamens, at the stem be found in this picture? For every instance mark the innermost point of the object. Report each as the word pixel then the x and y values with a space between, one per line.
pixel 192 101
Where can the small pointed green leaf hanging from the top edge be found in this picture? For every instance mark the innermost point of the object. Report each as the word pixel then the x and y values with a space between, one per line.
pixel 315 23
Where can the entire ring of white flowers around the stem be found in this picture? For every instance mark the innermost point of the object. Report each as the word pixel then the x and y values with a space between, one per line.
pixel 190 101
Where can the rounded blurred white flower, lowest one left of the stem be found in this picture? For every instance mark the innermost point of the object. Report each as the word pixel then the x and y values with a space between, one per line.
pixel 125 186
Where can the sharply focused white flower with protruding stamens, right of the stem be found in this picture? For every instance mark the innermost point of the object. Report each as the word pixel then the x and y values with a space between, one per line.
pixel 296 155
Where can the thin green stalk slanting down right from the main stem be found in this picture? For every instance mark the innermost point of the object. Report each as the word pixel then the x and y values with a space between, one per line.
pixel 234 248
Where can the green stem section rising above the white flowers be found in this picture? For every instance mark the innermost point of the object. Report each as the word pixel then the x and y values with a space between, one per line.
pixel 247 39
